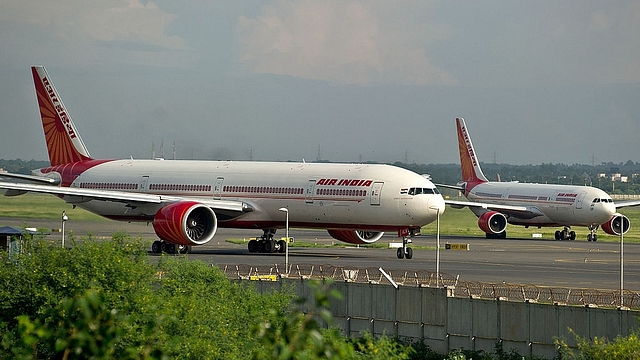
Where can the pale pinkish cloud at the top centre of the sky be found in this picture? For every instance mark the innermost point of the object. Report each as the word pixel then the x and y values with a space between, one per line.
pixel 341 42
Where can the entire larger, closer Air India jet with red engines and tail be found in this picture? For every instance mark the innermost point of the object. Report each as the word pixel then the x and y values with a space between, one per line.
pixel 186 200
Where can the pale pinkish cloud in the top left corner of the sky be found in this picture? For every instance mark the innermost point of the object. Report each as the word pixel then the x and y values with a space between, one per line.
pixel 80 28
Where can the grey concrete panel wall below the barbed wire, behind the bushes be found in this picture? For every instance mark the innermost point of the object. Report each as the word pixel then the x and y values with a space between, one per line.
pixel 447 323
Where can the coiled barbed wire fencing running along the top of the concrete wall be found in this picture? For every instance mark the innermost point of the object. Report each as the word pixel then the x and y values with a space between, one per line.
pixel 456 288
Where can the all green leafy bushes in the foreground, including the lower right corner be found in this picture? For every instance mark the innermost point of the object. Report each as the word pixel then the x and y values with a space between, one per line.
pixel 106 300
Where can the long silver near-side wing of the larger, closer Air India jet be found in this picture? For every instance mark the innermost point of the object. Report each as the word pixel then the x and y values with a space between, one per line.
pixel 78 195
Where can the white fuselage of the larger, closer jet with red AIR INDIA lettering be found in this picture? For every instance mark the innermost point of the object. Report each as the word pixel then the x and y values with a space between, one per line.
pixel 317 195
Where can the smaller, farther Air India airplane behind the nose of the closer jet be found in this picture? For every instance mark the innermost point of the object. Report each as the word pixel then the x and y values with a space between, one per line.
pixel 498 203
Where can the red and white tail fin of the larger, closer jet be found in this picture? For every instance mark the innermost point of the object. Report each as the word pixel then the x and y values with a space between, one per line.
pixel 63 140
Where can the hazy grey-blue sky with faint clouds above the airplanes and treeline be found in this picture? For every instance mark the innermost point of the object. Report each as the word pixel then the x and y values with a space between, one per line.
pixel 345 81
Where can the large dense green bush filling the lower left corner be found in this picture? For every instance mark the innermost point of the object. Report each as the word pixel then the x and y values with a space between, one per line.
pixel 105 300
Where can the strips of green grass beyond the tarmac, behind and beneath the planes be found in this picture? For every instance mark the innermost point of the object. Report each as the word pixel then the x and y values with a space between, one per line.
pixel 453 222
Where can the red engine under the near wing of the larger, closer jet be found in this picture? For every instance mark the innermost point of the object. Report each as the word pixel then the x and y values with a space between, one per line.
pixel 185 223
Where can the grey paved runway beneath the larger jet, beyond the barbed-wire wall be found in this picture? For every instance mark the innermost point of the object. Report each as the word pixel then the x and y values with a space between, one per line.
pixel 569 264
